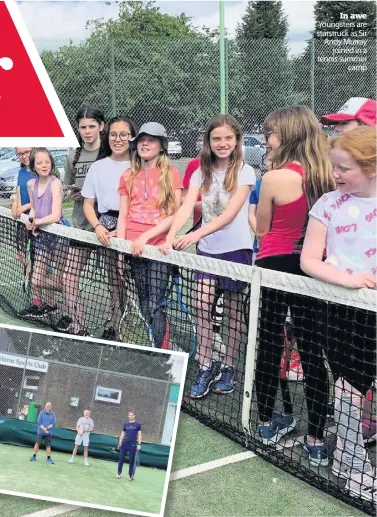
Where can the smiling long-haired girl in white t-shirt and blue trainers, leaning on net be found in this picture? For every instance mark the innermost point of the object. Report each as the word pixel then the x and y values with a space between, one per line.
pixel 225 182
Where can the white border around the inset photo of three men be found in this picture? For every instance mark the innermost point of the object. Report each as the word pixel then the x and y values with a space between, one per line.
pixel 175 429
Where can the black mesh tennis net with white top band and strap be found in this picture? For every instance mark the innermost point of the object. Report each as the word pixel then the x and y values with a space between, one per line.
pixel 272 344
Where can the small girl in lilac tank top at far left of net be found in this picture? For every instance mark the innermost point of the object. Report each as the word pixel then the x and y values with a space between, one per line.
pixel 45 192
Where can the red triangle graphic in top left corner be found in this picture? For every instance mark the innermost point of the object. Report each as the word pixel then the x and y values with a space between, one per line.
pixel 25 110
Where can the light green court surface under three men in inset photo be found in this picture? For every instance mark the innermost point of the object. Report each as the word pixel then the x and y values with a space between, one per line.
pixel 77 483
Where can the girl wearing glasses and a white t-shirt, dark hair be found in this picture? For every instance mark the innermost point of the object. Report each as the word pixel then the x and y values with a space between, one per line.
pixel 100 190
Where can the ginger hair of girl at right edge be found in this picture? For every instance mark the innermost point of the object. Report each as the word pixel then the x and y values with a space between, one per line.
pixel 360 144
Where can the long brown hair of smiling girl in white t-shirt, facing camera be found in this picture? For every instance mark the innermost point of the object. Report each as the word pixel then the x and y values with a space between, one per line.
pixel 207 157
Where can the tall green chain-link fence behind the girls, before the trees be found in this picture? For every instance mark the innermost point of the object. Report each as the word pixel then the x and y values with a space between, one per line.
pixel 177 81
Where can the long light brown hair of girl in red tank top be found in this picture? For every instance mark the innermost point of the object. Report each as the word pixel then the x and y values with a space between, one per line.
pixel 302 140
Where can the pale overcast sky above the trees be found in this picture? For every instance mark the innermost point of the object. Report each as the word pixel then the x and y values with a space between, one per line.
pixel 66 19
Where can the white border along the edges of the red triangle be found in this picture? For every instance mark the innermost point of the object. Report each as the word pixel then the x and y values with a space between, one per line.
pixel 69 139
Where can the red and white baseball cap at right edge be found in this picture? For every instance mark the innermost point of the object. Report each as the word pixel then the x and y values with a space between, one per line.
pixel 356 108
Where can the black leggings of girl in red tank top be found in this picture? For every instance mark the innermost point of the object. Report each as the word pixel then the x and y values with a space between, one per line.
pixel 274 311
